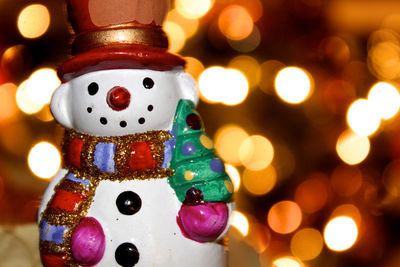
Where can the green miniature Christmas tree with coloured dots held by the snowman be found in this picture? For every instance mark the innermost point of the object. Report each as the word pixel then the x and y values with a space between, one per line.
pixel 194 160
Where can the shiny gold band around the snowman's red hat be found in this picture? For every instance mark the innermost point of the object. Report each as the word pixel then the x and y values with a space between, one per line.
pixel 127 34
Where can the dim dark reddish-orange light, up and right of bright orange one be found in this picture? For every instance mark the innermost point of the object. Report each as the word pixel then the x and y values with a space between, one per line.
pixel 312 194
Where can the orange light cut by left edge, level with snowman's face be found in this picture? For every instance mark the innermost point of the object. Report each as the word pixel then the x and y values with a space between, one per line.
pixel 8 105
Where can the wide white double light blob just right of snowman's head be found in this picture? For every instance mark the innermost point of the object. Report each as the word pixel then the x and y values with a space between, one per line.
pixel 227 86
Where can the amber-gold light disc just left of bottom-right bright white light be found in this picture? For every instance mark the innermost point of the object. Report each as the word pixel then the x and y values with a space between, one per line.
pixel 307 244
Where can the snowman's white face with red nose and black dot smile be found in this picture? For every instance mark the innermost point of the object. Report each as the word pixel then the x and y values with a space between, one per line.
pixel 120 102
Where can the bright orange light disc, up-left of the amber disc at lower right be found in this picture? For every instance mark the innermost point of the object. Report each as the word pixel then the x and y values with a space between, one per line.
pixel 284 217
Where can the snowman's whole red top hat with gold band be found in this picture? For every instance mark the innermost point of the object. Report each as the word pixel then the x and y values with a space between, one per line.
pixel 116 34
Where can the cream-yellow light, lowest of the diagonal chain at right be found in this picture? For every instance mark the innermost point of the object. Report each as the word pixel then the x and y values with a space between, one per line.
pixel 352 148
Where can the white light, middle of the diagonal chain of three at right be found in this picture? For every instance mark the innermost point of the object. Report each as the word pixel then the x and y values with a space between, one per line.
pixel 362 117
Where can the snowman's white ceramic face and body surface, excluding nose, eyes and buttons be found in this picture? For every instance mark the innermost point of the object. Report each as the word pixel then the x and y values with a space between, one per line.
pixel 154 229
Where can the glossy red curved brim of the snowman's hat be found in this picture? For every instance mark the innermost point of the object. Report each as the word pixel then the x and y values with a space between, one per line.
pixel 119 57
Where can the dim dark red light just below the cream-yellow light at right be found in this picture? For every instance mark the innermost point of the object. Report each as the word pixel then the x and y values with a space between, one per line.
pixel 346 180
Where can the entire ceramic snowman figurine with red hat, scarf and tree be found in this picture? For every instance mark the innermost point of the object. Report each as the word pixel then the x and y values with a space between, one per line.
pixel 140 184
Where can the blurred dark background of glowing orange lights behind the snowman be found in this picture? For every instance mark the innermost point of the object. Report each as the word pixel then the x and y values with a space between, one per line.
pixel 300 96
